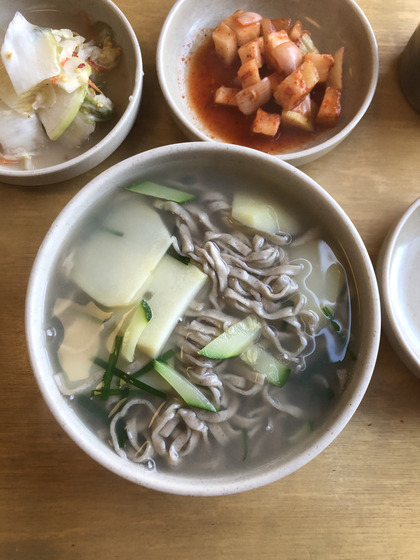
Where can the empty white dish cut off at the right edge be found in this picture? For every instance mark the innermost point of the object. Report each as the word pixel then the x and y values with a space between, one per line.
pixel 398 278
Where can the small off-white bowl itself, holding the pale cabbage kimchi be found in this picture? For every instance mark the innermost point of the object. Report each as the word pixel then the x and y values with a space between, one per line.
pixel 124 89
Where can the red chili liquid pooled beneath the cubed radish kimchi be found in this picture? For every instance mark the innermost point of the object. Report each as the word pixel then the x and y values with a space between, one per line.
pixel 205 74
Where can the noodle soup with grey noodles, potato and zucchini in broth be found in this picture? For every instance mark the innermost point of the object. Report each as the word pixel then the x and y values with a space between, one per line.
pixel 237 253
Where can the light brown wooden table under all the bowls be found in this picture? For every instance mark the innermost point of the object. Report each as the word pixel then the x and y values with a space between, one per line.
pixel 360 499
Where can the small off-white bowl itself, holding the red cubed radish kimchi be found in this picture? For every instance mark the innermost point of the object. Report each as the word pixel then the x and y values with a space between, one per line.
pixel 332 24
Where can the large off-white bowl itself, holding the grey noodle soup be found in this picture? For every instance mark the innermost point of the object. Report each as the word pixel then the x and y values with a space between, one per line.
pixel 236 162
